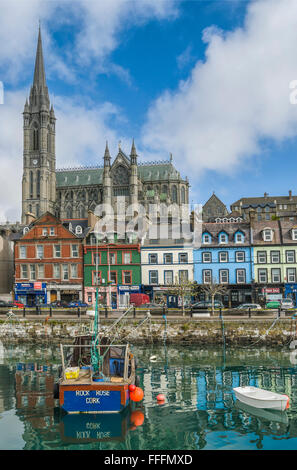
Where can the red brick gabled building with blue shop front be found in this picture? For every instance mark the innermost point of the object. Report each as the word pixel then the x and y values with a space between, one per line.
pixel 48 262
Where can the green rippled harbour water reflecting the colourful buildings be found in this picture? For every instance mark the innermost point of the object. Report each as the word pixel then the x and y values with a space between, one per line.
pixel 200 411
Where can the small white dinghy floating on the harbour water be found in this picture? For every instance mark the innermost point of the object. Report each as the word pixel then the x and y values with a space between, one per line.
pixel 260 398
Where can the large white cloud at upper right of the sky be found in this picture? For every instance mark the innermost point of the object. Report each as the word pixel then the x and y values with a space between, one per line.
pixel 233 100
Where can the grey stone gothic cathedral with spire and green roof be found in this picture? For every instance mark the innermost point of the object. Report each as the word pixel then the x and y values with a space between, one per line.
pixel 69 193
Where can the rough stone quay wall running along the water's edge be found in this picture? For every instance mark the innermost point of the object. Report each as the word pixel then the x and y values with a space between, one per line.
pixel 256 332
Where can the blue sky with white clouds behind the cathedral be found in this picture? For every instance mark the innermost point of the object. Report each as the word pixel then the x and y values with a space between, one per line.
pixel 206 80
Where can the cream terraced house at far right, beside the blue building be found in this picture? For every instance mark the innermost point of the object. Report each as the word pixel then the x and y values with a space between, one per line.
pixel 275 262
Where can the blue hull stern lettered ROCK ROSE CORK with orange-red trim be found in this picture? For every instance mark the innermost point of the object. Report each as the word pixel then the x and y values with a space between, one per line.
pixel 94 398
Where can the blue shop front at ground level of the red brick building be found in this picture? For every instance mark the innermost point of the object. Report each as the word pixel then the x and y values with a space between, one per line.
pixel 31 294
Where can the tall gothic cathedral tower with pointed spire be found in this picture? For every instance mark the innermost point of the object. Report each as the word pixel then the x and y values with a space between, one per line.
pixel 39 159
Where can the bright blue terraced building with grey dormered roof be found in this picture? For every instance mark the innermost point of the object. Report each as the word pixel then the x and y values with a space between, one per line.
pixel 225 257
